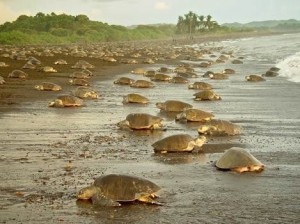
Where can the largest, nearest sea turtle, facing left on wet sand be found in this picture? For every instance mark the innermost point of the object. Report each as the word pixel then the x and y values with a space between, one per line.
pixel 115 189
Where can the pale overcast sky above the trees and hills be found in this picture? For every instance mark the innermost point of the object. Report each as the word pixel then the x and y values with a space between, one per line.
pixel 133 12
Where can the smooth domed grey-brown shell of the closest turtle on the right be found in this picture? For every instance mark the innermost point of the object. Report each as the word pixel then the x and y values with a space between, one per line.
pixel 236 157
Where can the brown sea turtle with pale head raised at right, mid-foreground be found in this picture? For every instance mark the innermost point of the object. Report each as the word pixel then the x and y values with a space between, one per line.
pixel 178 143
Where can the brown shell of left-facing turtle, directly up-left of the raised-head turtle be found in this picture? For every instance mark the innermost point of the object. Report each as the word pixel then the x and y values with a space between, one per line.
pixel 142 120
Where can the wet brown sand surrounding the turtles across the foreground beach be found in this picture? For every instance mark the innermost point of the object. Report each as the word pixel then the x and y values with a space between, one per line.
pixel 48 154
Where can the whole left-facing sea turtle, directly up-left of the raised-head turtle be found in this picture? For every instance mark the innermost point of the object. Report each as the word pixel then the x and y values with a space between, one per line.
pixel 141 121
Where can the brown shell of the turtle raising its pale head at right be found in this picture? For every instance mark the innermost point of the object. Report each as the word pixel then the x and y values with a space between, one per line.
pixel 174 143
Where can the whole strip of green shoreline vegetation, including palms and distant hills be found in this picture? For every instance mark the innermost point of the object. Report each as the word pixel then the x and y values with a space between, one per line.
pixel 63 29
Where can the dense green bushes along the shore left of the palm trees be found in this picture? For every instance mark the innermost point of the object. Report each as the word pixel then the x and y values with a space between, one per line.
pixel 58 29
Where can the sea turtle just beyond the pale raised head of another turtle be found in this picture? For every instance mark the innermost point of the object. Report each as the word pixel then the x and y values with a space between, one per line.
pixel 219 127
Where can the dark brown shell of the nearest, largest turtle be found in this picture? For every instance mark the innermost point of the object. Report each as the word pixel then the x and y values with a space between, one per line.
pixel 124 187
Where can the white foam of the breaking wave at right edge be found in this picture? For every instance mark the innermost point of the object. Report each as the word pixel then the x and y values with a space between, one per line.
pixel 290 67
